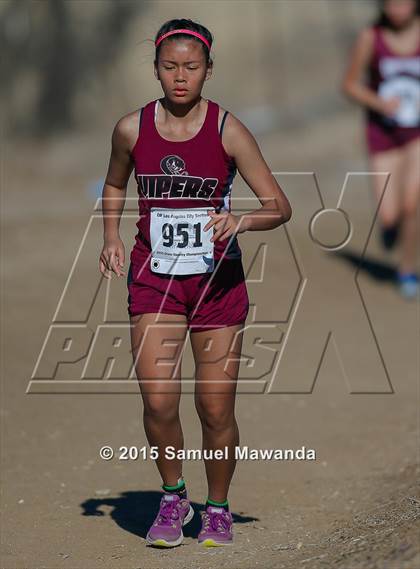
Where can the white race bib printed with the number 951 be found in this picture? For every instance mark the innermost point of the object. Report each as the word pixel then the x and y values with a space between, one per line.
pixel 180 246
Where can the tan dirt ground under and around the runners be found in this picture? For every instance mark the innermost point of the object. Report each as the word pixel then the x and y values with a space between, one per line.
pixel 357 506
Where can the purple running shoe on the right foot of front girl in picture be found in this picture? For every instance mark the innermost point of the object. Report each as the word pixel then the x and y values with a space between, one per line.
pixel 217 527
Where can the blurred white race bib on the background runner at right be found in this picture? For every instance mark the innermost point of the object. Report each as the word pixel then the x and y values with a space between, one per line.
pixel 407 89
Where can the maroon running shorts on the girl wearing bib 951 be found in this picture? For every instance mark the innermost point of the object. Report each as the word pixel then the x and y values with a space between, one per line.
pixel 208 300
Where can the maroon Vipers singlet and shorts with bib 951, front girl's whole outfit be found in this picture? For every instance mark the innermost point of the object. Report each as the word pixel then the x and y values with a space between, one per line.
pixel 174 268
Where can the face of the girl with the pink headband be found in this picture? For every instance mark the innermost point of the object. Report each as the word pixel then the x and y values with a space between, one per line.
pixel 182 69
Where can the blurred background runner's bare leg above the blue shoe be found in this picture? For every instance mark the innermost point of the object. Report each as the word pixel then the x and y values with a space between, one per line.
pixel 410 207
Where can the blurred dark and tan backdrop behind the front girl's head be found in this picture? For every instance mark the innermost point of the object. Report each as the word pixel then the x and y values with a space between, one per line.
pixel 73 65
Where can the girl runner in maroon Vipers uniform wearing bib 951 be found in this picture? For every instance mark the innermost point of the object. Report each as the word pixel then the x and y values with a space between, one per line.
pixel 186 266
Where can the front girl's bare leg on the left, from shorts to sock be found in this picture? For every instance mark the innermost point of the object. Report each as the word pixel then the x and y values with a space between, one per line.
pixel 157 346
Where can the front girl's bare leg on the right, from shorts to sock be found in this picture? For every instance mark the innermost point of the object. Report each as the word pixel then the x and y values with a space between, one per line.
pixel 217 354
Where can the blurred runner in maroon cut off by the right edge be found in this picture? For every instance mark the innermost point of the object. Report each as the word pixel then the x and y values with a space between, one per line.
pixel 389 50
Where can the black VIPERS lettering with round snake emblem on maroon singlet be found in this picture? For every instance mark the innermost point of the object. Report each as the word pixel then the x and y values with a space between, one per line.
pixel 175 182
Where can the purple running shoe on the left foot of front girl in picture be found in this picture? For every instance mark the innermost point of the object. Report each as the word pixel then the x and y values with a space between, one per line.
pixel 166 530
